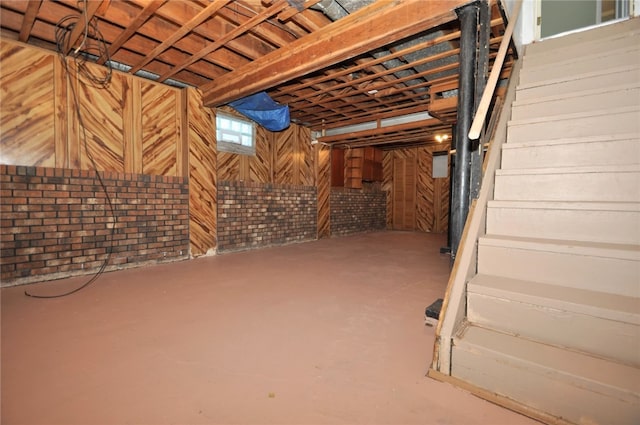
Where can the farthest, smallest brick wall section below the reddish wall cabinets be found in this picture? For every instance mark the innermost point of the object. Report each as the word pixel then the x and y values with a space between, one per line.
pixel 355 211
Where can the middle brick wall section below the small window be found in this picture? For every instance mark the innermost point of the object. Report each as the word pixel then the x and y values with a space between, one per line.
pixel 252 215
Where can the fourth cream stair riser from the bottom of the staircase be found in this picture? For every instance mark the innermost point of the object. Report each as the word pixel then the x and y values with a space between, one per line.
pixel 606 222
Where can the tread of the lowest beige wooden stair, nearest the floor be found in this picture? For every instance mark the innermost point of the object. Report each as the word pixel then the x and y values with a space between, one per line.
pixel 562 363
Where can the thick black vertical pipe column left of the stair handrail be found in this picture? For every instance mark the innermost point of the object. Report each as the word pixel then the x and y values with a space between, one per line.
pixel 468 16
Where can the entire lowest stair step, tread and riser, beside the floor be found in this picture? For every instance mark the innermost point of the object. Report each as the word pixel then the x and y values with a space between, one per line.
pixel 567 384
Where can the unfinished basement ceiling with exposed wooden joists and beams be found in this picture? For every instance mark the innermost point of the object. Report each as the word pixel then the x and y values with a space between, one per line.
pixel 325 59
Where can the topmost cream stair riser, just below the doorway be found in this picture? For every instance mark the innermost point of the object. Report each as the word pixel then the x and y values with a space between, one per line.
pixel 613 33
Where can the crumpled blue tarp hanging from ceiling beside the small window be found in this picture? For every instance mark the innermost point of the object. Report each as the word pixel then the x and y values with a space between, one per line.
pixel 263 110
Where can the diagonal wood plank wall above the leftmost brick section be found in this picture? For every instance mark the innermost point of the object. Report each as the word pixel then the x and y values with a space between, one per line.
pixel 132 126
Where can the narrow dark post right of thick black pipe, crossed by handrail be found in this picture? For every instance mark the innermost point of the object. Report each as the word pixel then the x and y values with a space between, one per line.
pixel 482 72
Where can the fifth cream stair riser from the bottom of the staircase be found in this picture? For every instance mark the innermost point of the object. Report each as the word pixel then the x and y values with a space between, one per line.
pixel 602 187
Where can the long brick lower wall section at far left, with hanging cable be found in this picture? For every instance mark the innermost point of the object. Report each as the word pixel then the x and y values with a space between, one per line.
pixel 57 223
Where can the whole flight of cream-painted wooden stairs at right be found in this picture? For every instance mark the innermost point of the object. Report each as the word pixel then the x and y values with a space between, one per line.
pixel 552 322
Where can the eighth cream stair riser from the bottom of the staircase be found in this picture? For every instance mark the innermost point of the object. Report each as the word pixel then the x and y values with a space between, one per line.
pixel 586 103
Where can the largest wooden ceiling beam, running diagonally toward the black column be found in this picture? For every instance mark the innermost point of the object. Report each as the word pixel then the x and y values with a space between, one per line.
pixel 378 24
